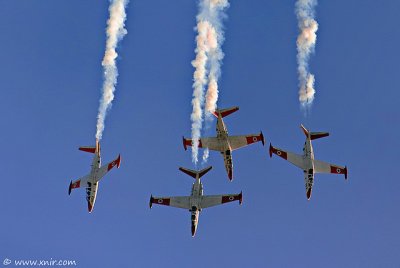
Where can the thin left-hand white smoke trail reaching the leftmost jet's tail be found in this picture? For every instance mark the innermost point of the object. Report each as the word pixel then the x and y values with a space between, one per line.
pixel 115 32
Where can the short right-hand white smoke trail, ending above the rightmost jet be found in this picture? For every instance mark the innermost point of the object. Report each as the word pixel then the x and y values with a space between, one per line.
pixel 305 46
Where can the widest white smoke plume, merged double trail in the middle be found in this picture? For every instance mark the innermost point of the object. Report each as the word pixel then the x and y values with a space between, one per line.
pixel 208 54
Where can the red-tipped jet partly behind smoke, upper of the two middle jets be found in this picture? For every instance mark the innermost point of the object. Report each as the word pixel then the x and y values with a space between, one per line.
pixel 224 143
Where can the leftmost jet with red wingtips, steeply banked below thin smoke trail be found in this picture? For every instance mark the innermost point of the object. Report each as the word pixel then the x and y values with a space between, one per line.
pixel 91 181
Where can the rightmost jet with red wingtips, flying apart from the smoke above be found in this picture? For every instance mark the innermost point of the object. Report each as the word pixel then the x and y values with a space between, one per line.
pixel 306 162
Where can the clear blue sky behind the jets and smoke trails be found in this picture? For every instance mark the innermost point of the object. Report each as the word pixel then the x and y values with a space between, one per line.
pixel 51 78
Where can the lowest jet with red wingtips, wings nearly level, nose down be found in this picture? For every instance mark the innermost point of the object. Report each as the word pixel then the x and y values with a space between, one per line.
pixel 196 201
